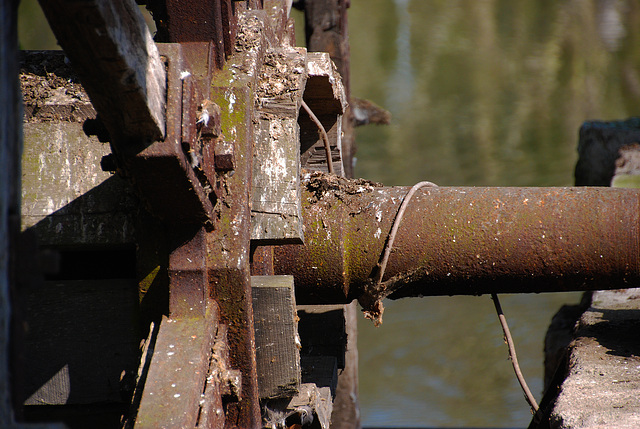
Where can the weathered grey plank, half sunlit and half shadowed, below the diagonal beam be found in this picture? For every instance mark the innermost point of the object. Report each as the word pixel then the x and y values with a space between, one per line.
pixel 66 197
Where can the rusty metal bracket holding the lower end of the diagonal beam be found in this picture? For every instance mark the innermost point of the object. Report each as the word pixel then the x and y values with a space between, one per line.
pixel 171 174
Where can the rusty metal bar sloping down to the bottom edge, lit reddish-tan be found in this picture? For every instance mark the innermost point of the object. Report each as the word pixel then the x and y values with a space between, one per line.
pixel 183 383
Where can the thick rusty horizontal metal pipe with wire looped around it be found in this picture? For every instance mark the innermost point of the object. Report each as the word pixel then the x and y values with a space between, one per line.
pixel 464 241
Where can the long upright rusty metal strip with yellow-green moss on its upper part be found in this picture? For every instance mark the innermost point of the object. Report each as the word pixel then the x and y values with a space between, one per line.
pixel 233 89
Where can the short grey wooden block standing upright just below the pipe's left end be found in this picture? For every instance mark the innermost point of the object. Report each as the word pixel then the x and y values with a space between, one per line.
pixel 277 354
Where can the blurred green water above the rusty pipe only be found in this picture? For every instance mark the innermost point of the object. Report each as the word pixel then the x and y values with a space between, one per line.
pixel 488 92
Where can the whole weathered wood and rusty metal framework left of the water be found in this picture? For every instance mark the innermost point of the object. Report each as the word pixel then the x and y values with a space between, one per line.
pixel 190 120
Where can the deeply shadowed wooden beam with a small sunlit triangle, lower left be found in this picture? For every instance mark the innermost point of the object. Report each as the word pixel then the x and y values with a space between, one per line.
pixel 79 363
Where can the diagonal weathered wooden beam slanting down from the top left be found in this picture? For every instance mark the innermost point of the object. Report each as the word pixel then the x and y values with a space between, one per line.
pixel 113 52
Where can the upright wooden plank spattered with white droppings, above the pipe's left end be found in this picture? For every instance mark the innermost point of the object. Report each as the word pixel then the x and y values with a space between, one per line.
pixel 276 208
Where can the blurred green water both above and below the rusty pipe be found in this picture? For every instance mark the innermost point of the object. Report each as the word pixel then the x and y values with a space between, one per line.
pixel 487 93
